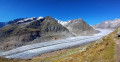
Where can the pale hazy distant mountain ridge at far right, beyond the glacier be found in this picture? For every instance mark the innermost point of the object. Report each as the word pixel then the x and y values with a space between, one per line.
pixel 109 24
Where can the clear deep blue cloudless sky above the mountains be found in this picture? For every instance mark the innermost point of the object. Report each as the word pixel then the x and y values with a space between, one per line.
pixel 91 11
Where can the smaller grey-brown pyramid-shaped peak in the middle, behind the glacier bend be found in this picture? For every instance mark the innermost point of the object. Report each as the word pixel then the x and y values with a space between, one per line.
pixel 80 27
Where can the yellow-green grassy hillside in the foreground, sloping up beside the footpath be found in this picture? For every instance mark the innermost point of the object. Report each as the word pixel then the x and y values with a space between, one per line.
pixel 103 50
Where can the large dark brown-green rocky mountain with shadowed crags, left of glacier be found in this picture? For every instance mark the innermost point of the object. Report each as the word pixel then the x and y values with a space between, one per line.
pixel 23 32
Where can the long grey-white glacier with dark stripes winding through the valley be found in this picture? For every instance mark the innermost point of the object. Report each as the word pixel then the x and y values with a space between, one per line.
pixel 29 51
